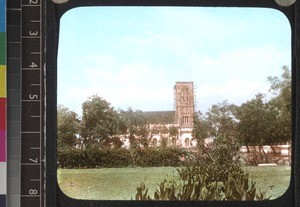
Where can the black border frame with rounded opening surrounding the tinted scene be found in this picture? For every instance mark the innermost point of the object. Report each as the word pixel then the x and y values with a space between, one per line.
pixel 52 13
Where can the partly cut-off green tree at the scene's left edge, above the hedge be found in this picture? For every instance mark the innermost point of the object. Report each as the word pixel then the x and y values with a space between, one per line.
pixel 68 128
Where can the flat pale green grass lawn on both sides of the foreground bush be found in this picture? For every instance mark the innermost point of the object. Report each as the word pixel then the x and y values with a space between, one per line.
pixel 121 183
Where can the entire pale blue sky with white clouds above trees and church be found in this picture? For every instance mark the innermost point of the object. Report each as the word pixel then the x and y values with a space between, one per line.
pixel 132 56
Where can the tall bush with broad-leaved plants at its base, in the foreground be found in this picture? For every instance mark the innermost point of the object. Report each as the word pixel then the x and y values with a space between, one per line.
pixel 215 175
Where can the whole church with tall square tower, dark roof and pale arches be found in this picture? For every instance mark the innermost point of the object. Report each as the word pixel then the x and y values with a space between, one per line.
pixel 161 123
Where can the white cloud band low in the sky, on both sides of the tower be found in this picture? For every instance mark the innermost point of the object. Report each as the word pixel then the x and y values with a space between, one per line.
pixel 235 76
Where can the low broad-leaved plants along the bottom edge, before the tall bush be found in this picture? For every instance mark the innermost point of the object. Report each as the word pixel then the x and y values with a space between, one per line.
pixel 234 188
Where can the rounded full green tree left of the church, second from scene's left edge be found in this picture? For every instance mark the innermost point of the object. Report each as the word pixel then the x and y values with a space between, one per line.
pixel 99 121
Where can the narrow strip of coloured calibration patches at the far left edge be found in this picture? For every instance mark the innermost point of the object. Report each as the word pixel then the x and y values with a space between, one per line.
pixel 3 103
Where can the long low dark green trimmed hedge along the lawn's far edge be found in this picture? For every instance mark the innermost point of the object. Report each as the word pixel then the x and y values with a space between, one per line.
pixel 105 158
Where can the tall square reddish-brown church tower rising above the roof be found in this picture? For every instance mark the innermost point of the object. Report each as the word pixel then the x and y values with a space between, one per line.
pixel 184 104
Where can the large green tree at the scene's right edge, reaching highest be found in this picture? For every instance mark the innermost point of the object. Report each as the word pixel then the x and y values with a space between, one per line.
pixel 263 122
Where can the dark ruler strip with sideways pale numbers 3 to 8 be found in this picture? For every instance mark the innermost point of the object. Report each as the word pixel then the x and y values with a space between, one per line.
pixel 32 105
